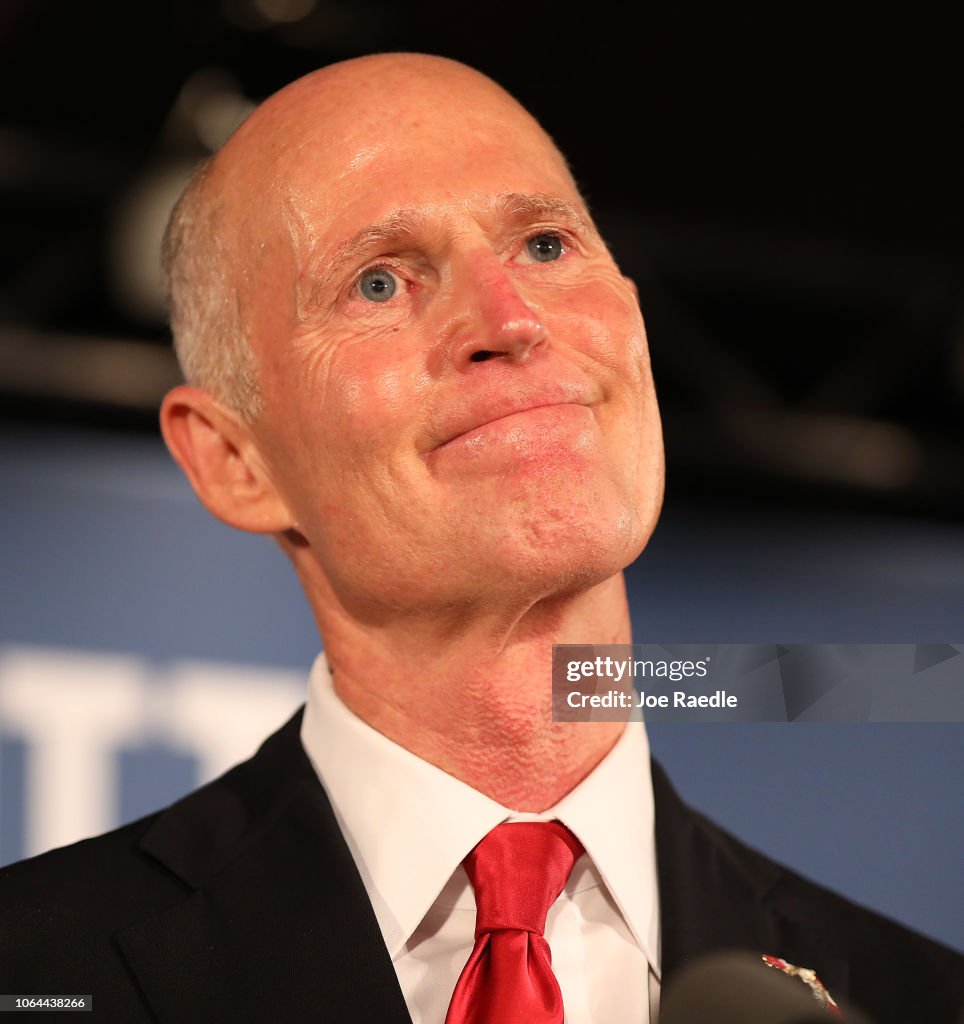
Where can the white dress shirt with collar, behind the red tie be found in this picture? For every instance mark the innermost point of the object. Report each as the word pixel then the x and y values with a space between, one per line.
pixel 409 826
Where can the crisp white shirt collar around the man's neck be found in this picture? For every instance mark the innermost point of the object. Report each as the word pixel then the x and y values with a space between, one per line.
pixel 409 825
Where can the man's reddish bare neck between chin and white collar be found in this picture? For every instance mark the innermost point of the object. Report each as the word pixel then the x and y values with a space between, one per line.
pixel 475 699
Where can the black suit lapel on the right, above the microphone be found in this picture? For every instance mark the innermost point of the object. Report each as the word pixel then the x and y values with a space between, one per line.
pixel 718 894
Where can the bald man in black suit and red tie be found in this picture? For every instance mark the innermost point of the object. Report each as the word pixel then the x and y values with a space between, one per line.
pixel 413 362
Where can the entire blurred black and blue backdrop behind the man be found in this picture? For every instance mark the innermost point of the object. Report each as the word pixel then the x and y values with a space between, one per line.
pixel 784 187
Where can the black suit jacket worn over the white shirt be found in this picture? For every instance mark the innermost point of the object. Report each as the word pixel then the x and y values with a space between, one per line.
pixel 242 904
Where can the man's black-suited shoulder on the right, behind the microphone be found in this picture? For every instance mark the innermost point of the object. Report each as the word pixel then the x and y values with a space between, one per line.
pixel 724 892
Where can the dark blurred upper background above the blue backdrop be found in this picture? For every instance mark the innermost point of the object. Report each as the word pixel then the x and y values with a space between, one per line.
pixel 783 183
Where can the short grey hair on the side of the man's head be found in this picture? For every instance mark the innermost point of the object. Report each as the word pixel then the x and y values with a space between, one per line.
pixel 211 339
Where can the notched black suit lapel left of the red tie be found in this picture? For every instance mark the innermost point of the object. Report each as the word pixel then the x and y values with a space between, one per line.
pixel 277 922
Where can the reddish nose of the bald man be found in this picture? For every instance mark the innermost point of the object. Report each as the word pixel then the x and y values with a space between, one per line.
pixel 492 320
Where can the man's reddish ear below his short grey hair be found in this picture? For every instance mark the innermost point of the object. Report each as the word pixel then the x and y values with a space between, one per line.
pixel 215 448
